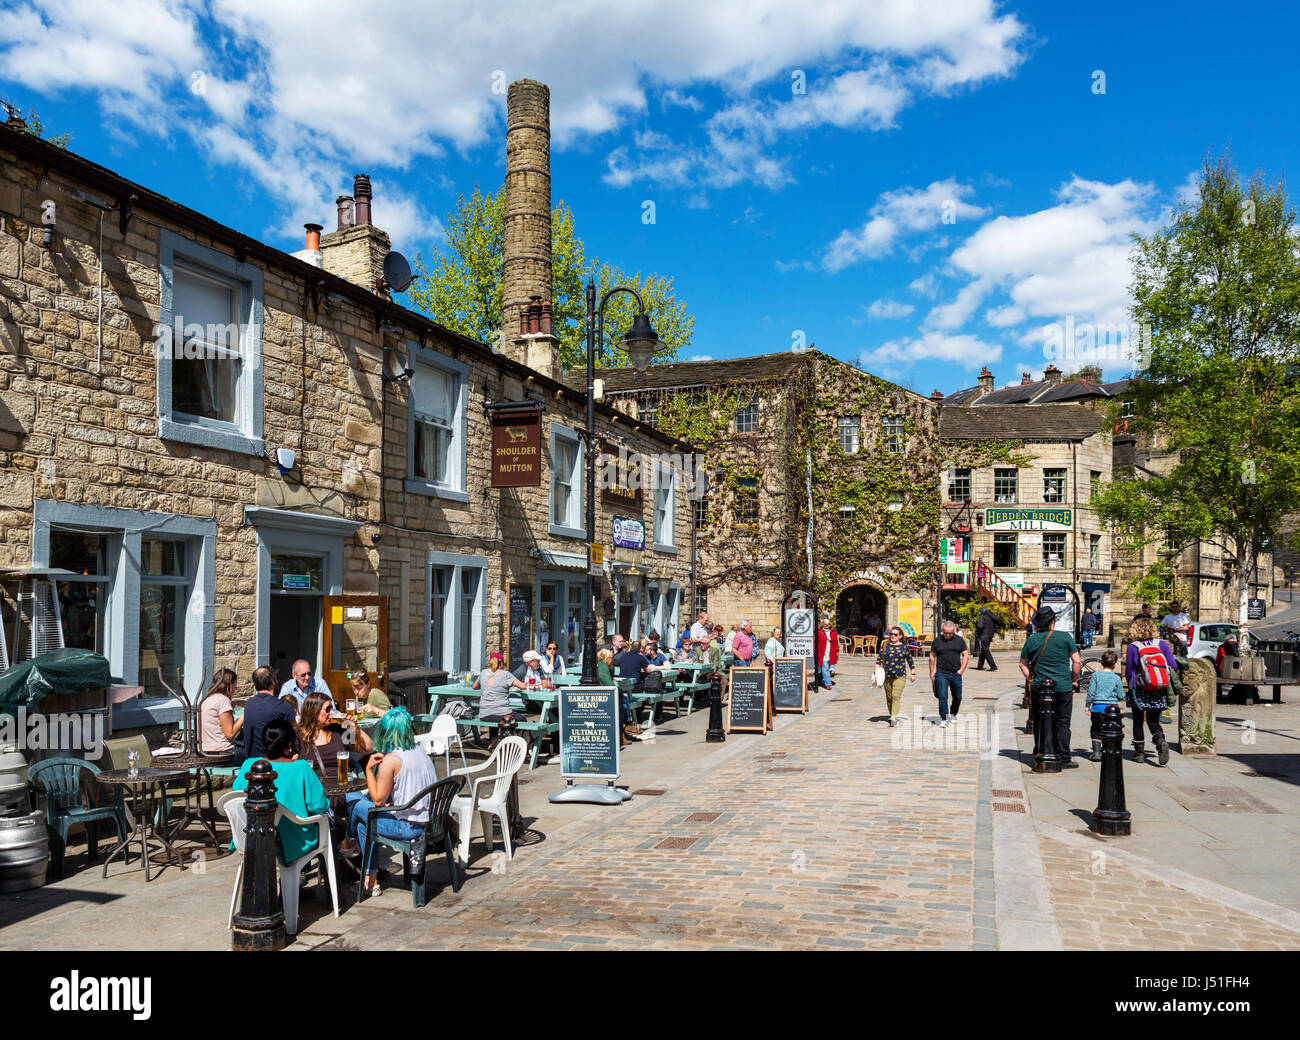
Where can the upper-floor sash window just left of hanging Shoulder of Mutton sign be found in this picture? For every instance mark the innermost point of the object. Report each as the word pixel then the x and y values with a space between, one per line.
pixel 437 427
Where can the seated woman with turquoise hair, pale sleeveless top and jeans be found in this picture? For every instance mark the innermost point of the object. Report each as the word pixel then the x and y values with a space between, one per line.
pixel 395 774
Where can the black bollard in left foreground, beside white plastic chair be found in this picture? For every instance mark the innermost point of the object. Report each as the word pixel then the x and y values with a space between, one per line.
pixel 261 922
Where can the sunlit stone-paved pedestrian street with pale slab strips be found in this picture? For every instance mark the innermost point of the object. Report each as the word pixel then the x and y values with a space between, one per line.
pixel 834 831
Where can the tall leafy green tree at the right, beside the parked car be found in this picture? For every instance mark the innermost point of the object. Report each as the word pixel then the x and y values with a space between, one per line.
pixel 1219 293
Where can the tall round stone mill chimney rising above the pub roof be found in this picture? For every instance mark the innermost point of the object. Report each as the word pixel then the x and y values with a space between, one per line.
pixel 526 292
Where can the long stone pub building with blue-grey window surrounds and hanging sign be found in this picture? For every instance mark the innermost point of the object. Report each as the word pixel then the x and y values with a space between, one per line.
pixel 240 456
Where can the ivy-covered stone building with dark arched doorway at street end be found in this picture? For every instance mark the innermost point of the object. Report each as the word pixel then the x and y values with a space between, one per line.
pixel 821 478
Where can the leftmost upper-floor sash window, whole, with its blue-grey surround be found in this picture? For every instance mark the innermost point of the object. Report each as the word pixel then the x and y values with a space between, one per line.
pixel 210 348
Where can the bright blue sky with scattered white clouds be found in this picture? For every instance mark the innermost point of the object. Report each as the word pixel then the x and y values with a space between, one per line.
pixel 918 187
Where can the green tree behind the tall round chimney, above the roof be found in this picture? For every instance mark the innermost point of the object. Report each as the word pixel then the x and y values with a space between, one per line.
pixel 462 285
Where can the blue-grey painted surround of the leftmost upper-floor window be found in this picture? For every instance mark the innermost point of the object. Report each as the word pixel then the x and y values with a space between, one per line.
pixel 245 436
